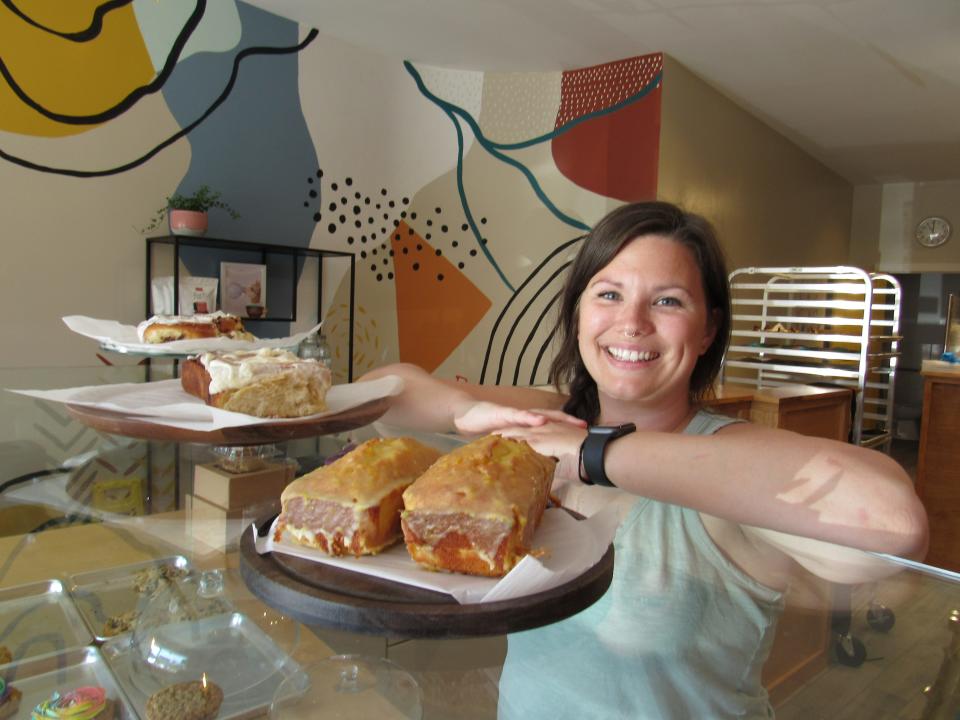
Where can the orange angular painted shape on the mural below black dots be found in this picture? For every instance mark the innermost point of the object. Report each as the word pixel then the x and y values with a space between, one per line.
pixel 437 305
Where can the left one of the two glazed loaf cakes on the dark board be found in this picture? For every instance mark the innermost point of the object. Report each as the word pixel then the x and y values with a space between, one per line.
pixel 352 506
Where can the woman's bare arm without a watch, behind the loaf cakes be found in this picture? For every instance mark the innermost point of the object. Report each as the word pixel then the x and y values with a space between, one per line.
pixel 435 405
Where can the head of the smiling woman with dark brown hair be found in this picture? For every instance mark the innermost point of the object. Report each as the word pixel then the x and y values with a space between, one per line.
pixel 652 282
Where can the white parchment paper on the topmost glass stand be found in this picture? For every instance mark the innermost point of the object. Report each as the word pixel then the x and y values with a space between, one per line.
pixel 124 338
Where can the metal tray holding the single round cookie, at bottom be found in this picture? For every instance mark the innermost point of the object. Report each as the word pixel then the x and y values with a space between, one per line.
pixel 230 649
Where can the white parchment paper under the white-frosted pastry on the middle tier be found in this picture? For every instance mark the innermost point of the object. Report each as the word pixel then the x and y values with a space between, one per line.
pixel 166 403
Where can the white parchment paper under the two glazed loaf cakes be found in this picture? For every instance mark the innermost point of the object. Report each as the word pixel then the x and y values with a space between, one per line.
pixel 566 548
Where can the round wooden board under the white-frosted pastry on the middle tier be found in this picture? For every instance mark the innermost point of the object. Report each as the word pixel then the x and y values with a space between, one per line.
pixel 140 426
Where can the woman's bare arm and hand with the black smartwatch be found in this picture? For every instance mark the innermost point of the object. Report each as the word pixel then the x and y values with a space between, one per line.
pixel 756 476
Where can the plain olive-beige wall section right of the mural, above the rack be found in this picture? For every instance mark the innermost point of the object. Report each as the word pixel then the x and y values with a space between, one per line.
pixel 772 203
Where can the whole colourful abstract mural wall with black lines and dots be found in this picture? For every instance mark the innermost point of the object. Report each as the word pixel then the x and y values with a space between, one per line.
pixel 463 194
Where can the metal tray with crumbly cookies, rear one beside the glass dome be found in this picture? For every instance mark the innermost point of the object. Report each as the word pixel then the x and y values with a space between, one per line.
pixel 101 594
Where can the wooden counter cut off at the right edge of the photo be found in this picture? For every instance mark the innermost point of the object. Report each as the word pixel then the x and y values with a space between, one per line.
pixel 938 462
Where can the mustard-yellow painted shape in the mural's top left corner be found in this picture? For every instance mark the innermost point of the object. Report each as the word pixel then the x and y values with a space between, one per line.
pixel 67 77
